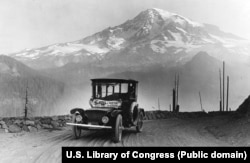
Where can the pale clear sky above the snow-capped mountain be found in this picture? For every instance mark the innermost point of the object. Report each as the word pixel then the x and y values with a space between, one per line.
pixel 27 24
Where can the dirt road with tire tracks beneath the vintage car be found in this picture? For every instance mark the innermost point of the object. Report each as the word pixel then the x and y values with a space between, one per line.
pixel 45 145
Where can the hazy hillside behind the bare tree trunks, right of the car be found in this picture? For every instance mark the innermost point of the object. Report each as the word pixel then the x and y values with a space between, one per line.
pixel 199 74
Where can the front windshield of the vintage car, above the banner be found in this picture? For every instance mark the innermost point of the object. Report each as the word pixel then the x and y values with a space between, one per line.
pixel 110 91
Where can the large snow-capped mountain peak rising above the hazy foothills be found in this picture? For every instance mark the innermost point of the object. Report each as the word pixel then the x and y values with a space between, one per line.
pixel 154 36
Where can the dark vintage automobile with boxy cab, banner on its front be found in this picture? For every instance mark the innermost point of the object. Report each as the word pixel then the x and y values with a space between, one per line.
pixel 113 106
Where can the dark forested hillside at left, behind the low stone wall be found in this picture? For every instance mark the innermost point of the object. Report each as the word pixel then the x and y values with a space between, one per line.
pixel 15 77
